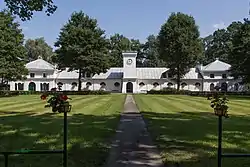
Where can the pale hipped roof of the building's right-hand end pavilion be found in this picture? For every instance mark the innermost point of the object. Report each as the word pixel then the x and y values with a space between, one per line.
pixel 217 65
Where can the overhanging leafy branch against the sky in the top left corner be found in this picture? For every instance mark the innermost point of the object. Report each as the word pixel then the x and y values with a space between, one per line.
pixel 25 9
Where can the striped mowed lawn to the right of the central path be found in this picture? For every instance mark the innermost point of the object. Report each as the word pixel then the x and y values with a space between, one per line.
pixel 185 129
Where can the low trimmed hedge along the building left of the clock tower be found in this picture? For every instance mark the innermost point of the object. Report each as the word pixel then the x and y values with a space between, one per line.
pixel 16 93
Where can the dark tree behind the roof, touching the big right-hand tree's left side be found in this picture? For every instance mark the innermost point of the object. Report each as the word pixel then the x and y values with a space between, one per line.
pixel 150 50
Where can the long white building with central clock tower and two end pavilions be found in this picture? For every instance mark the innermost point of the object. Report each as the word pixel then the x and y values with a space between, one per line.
pixel 44 76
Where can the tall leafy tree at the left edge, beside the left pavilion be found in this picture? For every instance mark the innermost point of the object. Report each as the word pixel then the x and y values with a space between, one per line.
pixel 12 52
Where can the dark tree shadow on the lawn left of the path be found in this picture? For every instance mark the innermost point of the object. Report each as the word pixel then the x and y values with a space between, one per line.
pixel 86 134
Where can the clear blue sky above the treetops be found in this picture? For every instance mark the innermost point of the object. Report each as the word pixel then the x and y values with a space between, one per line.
pixel 136 18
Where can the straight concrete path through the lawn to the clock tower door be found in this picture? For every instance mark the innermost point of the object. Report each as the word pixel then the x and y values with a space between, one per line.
pixel 133 146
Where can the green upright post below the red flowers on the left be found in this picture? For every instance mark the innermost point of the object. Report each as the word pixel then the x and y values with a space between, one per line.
pixel 65 151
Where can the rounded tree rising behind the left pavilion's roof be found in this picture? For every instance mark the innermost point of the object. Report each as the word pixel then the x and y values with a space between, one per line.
pixel 38 48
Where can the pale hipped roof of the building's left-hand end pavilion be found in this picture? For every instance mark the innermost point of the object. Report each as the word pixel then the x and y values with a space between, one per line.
pixel 39 64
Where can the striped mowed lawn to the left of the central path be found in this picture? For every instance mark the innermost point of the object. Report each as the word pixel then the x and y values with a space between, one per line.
pixel 26 124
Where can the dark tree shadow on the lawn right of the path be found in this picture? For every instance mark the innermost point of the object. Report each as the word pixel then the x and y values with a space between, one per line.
pixel 190 138
